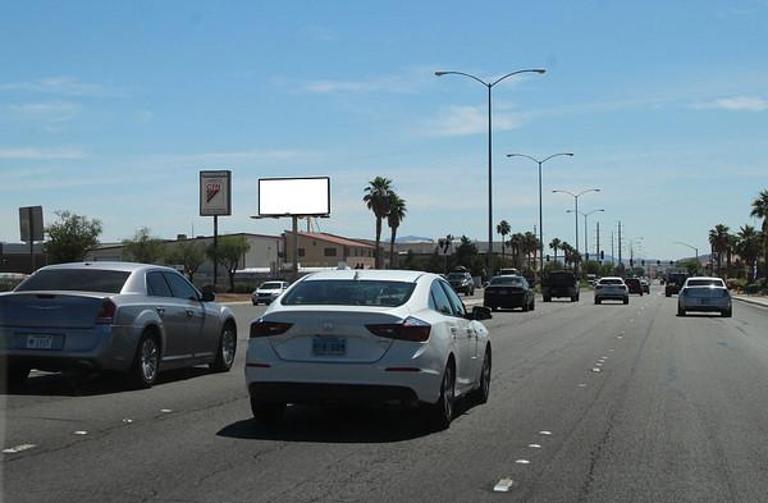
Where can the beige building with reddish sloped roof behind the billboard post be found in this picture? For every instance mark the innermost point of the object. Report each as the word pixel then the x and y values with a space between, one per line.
pixel 320 249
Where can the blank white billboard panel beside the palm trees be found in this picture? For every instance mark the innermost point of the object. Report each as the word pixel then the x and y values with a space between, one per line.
pixel 295 196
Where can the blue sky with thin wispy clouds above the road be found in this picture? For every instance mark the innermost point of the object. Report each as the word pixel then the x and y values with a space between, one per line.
pixel 110 109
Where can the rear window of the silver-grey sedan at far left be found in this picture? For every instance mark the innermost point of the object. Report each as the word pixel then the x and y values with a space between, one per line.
pixel 84 280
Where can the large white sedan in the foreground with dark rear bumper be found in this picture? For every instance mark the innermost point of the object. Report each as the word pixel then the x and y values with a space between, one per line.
pixel 365 336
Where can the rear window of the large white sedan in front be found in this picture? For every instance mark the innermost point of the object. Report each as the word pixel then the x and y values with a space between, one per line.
pixel 349 293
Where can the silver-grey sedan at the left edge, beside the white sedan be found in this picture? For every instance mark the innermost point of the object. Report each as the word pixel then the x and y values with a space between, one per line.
pixel 133 318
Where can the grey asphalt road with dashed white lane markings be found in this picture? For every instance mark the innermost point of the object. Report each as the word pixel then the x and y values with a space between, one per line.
pixel 677 412
